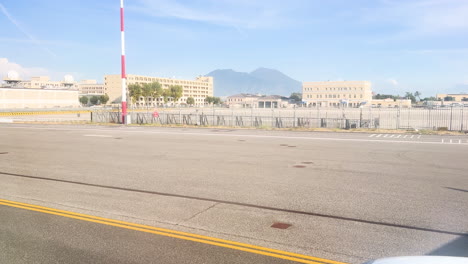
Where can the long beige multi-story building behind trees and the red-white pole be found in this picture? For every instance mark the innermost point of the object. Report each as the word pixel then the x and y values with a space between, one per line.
pixel 199 88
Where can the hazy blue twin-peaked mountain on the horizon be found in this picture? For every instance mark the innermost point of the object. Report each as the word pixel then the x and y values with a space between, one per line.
pixel 262 80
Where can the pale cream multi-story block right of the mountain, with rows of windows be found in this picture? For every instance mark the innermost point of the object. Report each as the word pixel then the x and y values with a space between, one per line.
pixel 336 93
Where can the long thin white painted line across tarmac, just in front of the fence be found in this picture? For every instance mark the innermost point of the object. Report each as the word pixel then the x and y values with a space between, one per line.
pixel 122 130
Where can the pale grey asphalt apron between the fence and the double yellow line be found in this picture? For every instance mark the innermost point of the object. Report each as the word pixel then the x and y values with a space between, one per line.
pixel 347 197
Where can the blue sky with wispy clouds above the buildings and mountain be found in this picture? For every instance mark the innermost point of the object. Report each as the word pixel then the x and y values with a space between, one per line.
pixel 399 45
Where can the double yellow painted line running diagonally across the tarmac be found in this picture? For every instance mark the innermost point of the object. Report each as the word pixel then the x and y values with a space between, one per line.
pixel 175 234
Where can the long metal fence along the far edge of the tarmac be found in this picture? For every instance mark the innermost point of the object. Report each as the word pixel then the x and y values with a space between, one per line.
pixel 454 118
